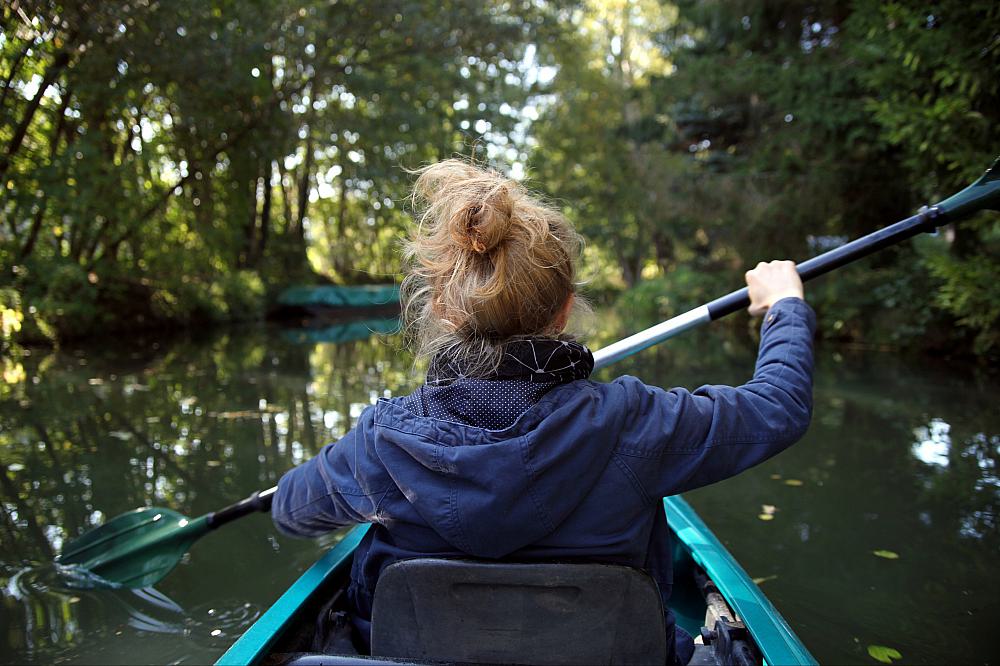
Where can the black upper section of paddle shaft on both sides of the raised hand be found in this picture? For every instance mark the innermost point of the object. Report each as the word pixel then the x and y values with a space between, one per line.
pixel 926 220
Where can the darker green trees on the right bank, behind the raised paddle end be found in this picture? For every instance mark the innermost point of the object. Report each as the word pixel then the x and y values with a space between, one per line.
pixel 779 130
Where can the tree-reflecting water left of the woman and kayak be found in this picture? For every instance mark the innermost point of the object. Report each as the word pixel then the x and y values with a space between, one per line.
pixel 190 426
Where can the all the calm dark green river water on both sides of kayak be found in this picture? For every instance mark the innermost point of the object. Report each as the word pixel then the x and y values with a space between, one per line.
pixel 901 457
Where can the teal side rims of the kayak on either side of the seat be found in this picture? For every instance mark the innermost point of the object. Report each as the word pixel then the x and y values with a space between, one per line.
pixel 696 550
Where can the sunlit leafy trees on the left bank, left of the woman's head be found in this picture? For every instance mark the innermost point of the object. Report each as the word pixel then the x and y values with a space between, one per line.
pixel 159 163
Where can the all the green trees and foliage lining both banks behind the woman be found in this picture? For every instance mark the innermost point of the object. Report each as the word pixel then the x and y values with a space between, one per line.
pixel 174 166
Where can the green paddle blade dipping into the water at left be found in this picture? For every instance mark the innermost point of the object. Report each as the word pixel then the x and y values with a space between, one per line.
pixel 136 549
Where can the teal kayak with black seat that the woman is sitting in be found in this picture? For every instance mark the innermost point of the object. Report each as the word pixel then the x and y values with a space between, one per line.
pixel 712 598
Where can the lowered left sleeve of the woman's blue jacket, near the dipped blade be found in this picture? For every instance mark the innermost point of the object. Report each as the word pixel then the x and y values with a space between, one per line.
pixel 338 487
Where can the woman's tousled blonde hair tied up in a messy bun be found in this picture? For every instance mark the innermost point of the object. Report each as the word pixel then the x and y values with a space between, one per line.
pixel 488 262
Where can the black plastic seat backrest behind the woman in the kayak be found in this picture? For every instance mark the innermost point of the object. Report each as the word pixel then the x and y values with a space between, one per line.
pixel 502 613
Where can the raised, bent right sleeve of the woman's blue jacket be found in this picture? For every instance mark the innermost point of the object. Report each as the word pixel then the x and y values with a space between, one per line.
pixel 677 440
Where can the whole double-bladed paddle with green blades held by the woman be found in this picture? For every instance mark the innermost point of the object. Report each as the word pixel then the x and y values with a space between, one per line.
pixel 139 548
